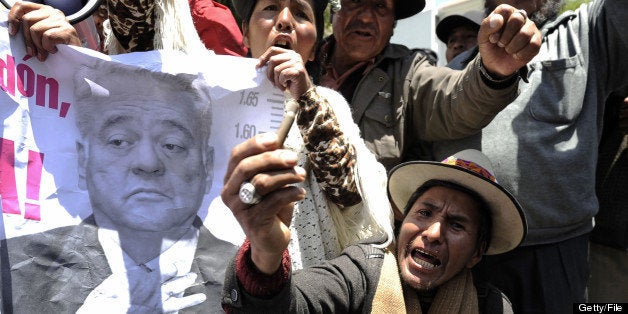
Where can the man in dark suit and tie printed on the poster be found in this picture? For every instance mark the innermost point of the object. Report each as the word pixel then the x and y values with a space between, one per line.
pixel 145 161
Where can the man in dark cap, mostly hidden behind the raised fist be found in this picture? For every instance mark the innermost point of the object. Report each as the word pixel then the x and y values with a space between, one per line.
pixel 459 32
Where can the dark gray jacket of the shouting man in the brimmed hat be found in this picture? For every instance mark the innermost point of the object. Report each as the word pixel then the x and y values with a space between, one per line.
pixel 346 284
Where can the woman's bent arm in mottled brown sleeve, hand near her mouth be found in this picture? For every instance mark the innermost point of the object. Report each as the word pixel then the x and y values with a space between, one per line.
pixel 332 157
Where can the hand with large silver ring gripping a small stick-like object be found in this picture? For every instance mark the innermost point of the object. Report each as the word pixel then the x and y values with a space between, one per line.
pixel 271 171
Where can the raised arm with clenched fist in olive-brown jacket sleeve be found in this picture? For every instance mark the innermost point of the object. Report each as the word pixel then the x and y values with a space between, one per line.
pixel 448 104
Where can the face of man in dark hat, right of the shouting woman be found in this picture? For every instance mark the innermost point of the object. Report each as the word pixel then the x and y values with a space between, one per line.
pixel 363 28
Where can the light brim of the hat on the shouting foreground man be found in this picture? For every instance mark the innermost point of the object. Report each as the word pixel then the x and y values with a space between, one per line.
pixel 509 224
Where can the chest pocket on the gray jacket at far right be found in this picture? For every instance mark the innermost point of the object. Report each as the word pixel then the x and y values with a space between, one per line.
pixel 557 97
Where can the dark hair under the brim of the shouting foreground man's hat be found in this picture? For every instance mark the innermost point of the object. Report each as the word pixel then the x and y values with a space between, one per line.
pixel 485 224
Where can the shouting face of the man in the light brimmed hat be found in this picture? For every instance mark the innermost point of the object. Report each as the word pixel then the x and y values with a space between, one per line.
pixel 438 238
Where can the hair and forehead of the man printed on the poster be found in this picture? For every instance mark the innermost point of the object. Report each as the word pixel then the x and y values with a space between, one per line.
pixel 141 95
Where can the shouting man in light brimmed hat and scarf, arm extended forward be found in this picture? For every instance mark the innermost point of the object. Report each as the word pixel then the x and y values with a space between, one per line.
pixel 454 213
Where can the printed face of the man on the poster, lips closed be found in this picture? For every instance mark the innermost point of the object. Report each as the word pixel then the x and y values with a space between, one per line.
pixel 145 164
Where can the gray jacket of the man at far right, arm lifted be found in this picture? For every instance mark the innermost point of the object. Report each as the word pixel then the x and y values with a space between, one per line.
pixel 544 146
